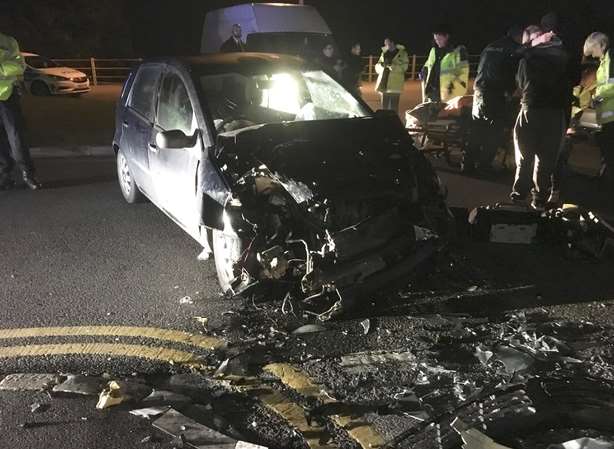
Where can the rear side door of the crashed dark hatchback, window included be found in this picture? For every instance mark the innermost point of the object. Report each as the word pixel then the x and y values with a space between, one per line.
pixel 138 123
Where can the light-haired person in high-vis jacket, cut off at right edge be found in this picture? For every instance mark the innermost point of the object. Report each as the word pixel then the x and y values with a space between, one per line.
pixel 597 45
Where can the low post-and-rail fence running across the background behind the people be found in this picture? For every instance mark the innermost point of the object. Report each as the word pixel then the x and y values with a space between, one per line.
pixel 101 70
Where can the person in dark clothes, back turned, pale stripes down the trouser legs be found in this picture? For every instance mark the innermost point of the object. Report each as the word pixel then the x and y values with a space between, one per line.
pixel 543 81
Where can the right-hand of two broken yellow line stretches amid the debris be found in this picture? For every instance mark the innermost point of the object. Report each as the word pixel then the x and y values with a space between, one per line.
pixel 362 432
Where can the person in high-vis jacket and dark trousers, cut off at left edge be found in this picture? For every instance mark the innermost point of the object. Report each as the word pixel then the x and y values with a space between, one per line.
pixel 11 118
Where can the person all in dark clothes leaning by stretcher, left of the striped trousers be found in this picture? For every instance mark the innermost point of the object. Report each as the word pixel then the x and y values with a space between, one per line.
pixel 493 89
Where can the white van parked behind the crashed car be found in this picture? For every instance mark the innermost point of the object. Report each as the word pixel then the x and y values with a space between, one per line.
pixel 268 27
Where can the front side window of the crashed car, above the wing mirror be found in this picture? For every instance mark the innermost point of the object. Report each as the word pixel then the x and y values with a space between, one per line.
pixel 175 110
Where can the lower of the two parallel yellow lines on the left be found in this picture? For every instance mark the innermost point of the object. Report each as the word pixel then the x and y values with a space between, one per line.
pixel 138 351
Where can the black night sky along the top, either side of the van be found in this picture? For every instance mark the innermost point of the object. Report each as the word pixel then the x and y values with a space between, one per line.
pixel 165 27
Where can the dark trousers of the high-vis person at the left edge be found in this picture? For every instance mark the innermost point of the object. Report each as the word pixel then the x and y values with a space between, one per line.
pixel 14 149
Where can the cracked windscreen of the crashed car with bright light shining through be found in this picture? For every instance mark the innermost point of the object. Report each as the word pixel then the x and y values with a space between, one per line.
pixel 238 101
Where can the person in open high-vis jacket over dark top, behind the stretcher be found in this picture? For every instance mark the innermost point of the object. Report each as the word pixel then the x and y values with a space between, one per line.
pixel 445 74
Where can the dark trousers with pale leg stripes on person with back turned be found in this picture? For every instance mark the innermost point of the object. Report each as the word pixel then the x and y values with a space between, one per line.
pixel 538 136
